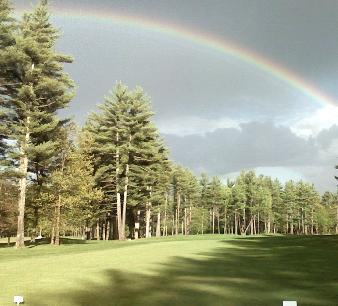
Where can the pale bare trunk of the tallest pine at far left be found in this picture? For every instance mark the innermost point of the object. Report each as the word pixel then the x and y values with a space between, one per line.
pixel 20 237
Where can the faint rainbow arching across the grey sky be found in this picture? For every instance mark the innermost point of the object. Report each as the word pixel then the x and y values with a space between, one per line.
pixel 204 40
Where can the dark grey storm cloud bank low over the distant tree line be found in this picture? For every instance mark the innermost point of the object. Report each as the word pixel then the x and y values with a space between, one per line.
pixel 259 144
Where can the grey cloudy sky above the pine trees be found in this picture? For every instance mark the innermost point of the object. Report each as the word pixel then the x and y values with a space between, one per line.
pixel 219 114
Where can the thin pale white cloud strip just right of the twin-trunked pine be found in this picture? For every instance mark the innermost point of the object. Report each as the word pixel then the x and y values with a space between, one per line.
pixel 190 125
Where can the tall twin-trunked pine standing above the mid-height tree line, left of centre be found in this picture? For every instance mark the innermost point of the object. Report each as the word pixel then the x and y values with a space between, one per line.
pixel 128 149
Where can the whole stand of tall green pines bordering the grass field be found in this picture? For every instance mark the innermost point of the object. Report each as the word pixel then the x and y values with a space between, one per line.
pixel 113 178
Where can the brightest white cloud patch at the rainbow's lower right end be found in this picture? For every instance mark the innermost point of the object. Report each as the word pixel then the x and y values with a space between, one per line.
pixel 313 123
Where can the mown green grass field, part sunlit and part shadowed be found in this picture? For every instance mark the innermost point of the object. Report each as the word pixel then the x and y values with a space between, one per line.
pixel 200 270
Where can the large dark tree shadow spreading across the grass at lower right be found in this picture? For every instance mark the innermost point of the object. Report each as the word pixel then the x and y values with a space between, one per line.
pixel 240 272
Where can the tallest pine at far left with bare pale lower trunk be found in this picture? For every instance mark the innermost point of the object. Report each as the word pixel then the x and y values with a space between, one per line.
pixel 40 89
